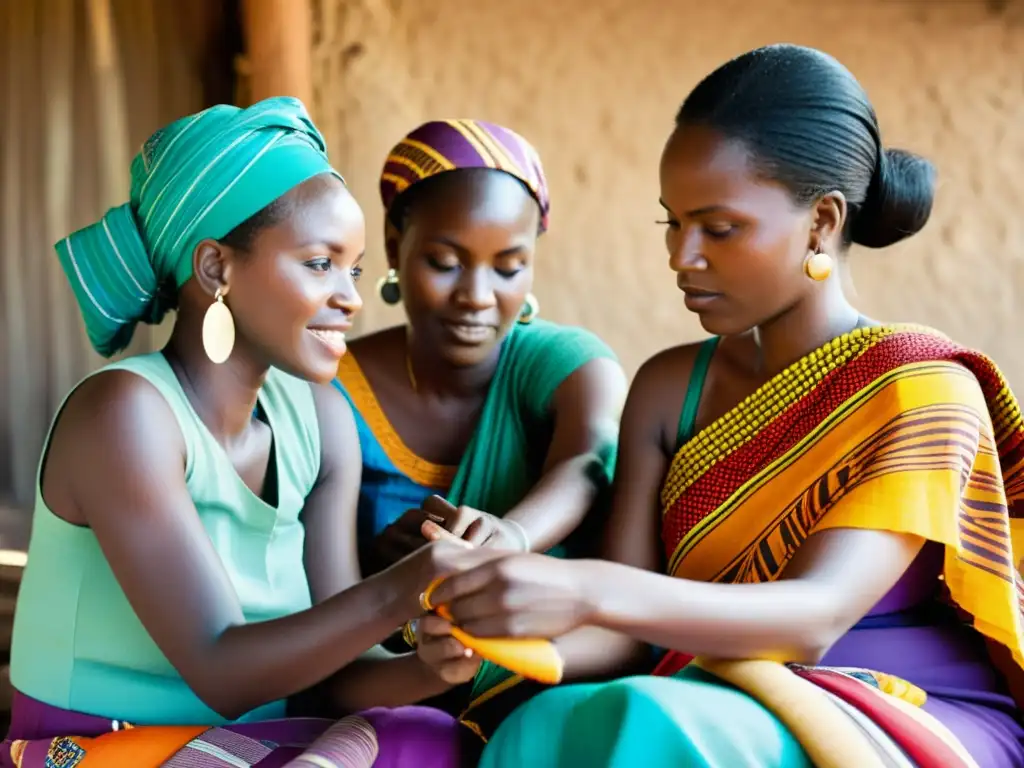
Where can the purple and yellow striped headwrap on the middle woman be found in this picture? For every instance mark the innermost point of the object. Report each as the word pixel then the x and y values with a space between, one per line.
pixel 451 145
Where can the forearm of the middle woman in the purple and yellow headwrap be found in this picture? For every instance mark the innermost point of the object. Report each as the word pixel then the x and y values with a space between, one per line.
pixel 561 501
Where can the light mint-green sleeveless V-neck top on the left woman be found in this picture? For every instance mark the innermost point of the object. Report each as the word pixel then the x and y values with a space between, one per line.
pixel 77 644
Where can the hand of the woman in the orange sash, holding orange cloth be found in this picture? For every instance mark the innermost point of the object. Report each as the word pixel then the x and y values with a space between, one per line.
pixel 519 596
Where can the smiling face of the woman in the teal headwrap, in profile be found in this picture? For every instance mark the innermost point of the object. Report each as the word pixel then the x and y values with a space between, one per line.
pixel 292 292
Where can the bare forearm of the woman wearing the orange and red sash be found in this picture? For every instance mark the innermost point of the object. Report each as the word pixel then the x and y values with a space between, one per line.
pixel 793 620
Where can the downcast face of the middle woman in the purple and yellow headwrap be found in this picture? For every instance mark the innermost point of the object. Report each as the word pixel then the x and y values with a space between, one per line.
pixel 465 261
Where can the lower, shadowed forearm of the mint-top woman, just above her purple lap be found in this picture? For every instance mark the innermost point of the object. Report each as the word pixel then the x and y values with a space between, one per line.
pixel 380 678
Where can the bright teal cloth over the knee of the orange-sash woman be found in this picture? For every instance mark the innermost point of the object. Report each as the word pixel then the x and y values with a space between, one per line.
pixel 693 719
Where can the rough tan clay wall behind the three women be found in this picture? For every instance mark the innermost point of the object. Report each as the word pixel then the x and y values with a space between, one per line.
pixel 594 86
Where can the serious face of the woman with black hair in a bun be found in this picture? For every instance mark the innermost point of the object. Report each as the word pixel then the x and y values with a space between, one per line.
pixel 737 242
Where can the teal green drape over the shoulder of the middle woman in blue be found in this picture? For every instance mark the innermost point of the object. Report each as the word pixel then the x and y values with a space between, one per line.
pixel 502 463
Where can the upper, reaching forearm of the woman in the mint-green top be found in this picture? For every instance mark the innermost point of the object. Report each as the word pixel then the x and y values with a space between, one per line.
pixel 253 664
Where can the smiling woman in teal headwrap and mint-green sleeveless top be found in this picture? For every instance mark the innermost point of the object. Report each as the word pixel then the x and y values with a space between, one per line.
pixel 193 562
